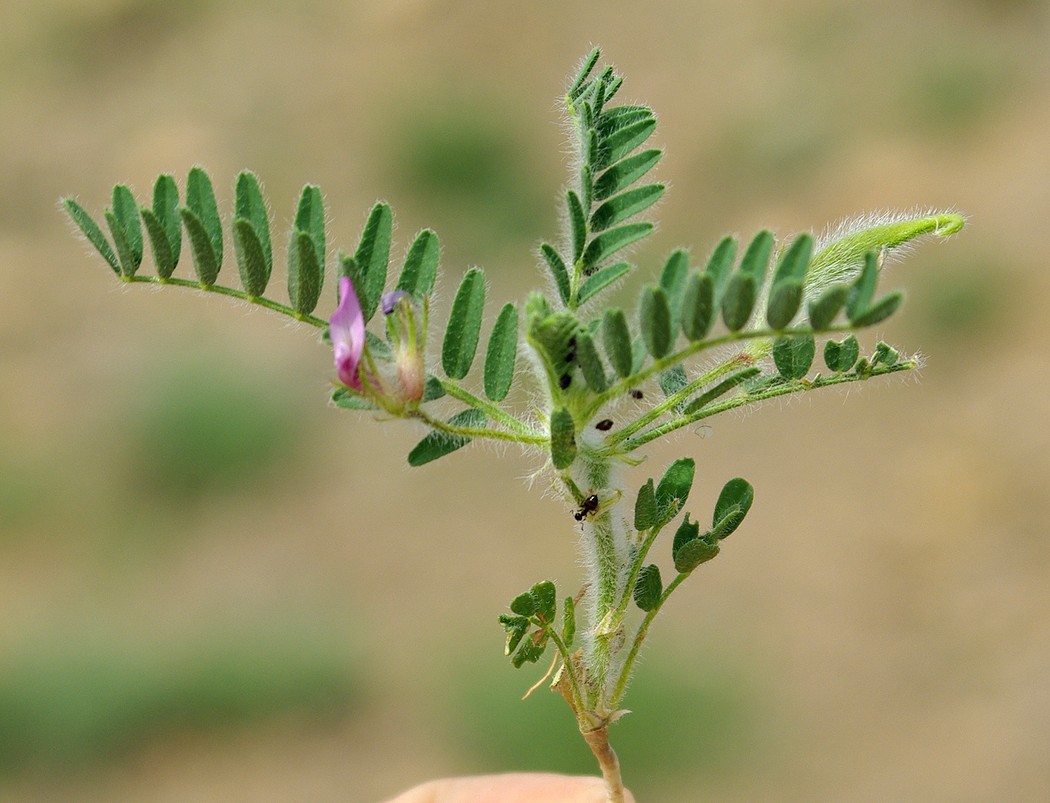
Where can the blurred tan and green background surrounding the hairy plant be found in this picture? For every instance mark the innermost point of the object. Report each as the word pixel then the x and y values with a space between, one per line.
pixel 214 587
